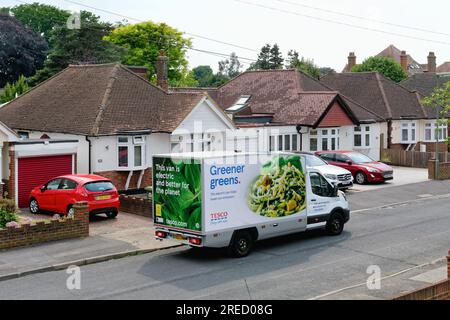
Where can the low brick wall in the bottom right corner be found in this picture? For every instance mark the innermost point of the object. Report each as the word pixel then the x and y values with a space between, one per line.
pixel 438 291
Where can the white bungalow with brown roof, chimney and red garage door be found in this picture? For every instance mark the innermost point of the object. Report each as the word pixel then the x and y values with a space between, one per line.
pixel 102 119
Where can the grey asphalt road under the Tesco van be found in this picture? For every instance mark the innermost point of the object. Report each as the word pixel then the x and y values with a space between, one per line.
pixel 400 238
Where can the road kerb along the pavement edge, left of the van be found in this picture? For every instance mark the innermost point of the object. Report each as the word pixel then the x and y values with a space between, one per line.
pixel 83 262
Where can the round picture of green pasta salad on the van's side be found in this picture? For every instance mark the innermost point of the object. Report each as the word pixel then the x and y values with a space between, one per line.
pixel 280 189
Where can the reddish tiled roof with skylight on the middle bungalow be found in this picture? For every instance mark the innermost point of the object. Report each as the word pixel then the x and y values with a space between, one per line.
pixel 292 96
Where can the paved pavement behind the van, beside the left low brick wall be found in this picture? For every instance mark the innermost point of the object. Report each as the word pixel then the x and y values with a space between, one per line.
pixel 127 233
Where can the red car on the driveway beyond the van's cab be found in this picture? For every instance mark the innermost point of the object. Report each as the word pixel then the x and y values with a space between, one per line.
pixel 363 168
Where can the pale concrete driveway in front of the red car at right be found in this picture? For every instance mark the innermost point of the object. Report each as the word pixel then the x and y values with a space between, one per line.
pixel 402 176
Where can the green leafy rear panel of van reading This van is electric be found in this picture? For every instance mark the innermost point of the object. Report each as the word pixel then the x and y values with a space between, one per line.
pixel 177 193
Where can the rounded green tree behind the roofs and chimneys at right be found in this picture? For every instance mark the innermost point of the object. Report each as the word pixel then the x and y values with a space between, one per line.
pixel 386 66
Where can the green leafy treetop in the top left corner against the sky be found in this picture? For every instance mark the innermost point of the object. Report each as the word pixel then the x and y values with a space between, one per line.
pixel 41 18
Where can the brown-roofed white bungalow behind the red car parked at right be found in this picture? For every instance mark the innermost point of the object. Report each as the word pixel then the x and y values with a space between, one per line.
pixel 408 126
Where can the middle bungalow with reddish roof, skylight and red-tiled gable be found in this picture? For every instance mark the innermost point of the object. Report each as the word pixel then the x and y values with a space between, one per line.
pixel 286 110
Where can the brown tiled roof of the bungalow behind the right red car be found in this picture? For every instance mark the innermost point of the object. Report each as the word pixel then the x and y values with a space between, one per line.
pixel 377 93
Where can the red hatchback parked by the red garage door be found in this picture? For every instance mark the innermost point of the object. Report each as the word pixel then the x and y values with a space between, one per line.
pixel 60 194
